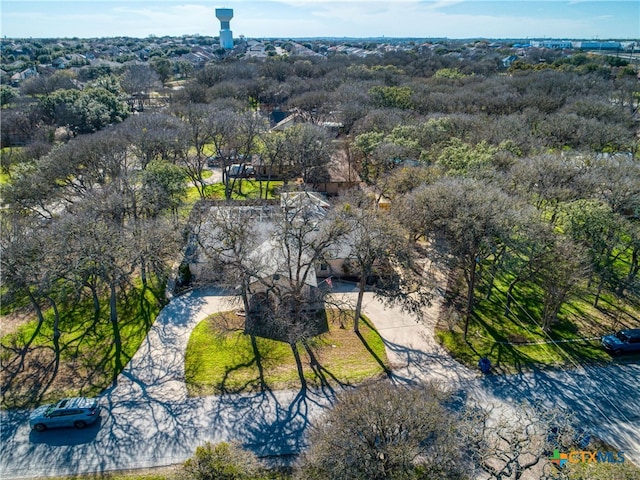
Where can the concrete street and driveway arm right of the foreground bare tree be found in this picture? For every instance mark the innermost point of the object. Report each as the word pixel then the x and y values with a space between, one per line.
pixel 604 399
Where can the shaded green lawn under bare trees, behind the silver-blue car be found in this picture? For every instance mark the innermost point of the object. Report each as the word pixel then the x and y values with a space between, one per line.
pixel 87 358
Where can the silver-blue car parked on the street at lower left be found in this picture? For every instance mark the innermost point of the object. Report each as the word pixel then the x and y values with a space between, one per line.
pixel 70 412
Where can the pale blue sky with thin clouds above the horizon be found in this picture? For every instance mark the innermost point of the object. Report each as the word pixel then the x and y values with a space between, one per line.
pixel 313 18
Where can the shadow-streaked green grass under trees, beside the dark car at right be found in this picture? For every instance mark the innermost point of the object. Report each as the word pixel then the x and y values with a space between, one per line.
pixel 516 343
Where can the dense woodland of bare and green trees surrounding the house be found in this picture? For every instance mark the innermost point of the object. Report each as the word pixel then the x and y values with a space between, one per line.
pixel 524 180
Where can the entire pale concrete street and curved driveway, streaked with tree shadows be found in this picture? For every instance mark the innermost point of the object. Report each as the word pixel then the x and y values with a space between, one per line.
pixel 148 420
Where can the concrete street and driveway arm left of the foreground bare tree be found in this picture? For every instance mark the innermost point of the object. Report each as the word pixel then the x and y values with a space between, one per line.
pixel 147 418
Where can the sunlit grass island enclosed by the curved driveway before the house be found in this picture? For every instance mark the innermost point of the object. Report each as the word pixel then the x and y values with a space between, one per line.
pixel 221 358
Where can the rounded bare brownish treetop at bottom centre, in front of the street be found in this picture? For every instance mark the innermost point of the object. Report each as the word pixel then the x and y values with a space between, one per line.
pixel 385 431
